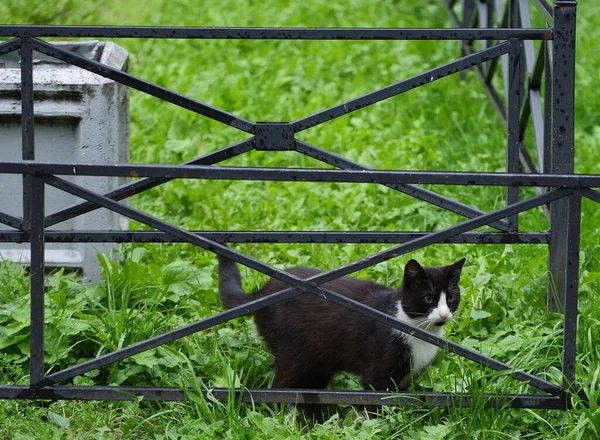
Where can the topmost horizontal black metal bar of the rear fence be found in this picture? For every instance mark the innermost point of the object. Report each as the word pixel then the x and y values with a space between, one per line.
pixel 273 33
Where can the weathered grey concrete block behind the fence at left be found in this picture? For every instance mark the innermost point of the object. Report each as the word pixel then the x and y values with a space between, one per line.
pixel 79 117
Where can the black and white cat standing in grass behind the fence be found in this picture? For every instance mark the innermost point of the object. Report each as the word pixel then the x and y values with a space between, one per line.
pixel 312 338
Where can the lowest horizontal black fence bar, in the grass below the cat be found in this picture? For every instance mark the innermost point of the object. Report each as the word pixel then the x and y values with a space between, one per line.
pixel 258 395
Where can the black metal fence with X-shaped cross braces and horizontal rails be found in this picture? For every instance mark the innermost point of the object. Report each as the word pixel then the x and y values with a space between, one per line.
pixel 510 44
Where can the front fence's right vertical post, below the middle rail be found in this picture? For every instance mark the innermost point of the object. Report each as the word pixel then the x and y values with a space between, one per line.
pixel 573 223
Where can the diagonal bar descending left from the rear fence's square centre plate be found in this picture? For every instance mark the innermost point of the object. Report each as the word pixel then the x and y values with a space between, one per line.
pixel 131 189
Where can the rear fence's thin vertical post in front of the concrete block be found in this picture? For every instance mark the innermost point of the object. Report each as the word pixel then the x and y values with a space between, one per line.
pixel 28 149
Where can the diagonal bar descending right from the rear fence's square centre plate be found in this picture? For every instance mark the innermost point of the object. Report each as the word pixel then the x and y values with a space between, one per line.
pixel 411 190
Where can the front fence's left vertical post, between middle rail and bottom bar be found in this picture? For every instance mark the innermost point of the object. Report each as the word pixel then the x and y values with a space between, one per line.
pixel 37 200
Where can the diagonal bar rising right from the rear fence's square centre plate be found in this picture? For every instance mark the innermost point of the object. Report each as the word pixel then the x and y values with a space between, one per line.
pixel 401 87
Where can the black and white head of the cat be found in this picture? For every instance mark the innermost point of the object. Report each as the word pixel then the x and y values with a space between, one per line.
pixel 430 295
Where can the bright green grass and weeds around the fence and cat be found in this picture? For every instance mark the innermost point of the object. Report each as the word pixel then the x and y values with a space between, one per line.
pixel 150 289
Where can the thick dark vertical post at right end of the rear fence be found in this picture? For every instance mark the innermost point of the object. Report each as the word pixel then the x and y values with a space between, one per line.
pixel 562 145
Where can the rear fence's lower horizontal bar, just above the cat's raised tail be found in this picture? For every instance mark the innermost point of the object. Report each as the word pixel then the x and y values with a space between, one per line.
pixel 276 237
